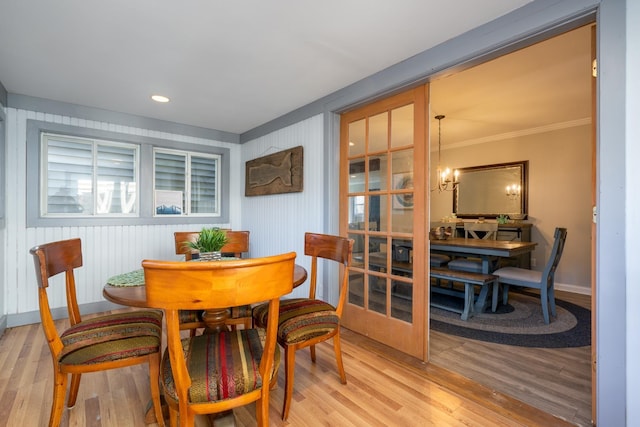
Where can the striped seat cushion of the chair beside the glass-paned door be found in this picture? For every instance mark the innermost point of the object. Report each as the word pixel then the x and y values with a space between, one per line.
pixel 300 319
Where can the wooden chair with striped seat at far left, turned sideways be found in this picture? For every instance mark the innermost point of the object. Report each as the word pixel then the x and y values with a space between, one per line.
pixel 92 344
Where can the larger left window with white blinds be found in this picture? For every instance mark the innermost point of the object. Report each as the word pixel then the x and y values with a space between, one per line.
pixel 87 177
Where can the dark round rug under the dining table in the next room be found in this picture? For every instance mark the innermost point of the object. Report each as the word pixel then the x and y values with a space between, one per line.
pixel 518 323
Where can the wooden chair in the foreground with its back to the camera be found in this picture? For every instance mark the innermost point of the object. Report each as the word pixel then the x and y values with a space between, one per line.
pixel 217 372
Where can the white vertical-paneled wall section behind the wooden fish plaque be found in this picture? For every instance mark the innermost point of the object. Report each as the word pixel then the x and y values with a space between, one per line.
pixel 278 222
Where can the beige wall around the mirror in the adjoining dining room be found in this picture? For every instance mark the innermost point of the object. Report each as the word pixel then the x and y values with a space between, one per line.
pixel 559 193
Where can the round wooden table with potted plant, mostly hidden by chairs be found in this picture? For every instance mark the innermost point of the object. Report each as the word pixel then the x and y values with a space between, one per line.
pixel 135 296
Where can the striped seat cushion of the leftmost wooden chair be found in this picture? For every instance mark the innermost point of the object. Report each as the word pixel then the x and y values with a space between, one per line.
pixel 112 337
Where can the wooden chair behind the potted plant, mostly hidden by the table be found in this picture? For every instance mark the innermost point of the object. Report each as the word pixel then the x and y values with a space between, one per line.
pixel 237 245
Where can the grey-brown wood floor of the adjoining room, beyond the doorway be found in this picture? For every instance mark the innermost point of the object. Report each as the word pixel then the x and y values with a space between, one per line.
pixel 557 381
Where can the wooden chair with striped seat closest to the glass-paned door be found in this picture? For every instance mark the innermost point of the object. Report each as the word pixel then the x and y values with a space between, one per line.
pixel 305 322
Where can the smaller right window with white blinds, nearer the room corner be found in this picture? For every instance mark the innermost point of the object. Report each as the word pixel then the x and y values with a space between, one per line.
pixel 186 183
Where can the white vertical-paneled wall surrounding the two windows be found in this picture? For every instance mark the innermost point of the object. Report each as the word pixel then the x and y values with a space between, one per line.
pixel 108 250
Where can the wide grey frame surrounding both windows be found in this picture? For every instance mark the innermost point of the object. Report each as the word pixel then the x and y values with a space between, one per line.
pixel 146 204
